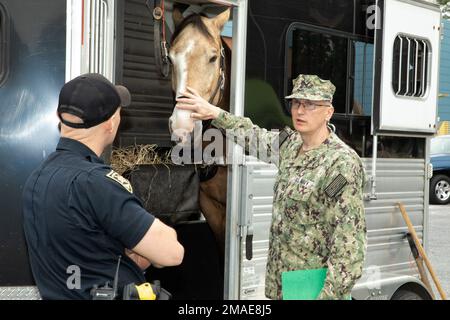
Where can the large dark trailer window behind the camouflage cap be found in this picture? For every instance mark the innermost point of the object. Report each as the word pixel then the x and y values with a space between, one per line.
pixel 345 59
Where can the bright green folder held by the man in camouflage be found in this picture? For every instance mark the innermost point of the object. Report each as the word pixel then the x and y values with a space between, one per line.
pixel 303 284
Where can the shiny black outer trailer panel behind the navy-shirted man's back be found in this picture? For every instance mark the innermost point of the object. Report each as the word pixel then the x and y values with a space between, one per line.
pixel 28 122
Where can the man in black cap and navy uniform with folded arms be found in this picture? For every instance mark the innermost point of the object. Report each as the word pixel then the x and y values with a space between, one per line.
pixel 80 215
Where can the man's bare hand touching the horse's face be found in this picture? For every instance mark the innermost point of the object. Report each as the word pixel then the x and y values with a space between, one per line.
pixel 200 108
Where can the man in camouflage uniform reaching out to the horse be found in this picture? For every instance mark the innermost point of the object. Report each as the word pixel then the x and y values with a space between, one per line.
pixel 318 213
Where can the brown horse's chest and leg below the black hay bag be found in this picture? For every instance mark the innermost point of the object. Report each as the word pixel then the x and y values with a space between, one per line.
pixel 213 197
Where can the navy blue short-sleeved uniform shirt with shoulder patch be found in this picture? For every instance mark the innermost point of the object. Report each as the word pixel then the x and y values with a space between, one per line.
pixel 79 216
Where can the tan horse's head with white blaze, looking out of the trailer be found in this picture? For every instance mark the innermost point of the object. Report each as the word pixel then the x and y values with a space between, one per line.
pixel 196 59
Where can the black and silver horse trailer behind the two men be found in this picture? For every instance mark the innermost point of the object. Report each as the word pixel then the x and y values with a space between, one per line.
pixel 382 55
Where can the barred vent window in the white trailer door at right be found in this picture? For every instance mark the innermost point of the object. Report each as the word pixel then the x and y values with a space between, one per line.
pixel 410 66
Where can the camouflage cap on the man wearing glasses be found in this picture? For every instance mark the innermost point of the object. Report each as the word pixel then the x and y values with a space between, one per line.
pixel 311 87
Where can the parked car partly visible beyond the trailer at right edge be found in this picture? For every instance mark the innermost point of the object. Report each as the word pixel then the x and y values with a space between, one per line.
pixel 440 159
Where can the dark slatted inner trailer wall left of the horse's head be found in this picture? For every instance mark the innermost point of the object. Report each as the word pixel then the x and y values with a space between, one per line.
pixel 146 120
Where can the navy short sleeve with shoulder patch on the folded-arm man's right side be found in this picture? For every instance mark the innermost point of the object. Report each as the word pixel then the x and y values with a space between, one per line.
pixel 117 210
